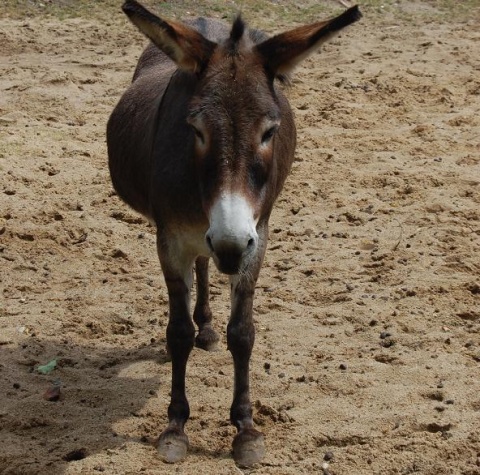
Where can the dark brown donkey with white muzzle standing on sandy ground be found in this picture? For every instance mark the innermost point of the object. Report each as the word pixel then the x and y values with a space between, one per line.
pixel 201 144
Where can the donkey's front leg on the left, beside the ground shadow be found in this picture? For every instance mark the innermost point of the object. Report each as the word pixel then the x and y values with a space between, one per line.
pixel 173 442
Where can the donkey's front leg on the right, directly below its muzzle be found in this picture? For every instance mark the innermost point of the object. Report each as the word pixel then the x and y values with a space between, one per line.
pixel 248 444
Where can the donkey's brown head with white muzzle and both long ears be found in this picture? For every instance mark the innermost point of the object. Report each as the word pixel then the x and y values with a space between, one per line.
pixel 244 133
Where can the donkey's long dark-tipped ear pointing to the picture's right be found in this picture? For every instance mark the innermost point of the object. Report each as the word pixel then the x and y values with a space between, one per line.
pixel 284 51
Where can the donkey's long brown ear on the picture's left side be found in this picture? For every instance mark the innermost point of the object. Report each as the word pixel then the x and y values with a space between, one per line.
pixel 184 45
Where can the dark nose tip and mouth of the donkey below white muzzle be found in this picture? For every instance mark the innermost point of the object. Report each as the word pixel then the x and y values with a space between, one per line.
pixel 230 251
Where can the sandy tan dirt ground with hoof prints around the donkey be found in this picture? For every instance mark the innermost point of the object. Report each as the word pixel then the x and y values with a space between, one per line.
pixel 367 357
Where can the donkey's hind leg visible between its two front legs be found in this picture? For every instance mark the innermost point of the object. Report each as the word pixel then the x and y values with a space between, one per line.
pixel 207 338
